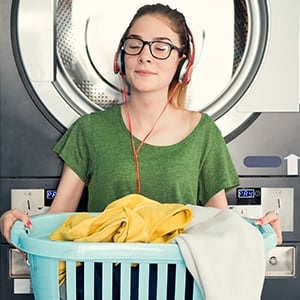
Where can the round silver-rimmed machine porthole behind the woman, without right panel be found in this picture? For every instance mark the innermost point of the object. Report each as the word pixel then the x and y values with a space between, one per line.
pixel 76 42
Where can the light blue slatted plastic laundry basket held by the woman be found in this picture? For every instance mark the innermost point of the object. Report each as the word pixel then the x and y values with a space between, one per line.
pixel 44 254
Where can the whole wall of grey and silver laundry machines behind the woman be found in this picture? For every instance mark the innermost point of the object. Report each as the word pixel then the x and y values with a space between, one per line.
pixel 54 68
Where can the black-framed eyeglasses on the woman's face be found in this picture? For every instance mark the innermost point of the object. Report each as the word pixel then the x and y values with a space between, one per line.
pixel 158 49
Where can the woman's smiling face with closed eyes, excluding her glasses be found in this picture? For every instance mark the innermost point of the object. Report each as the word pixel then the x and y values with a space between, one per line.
pixel 144 72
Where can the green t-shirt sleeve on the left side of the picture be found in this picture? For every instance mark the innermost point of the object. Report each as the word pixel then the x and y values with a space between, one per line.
pixel 73 149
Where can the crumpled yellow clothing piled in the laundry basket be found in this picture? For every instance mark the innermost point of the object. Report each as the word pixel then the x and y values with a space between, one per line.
pixel 133 218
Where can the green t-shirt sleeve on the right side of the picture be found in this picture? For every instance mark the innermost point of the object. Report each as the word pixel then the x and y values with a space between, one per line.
pixel 217 170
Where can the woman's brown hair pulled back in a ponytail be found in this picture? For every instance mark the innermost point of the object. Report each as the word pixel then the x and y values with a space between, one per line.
pixel 178 25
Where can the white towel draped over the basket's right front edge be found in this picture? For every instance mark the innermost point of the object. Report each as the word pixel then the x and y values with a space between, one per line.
pixel 225 254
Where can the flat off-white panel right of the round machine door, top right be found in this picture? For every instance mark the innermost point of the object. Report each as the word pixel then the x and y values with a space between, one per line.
pixel 271 91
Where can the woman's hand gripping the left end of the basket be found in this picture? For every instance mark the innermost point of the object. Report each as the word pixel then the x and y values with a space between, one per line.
pixel 8 219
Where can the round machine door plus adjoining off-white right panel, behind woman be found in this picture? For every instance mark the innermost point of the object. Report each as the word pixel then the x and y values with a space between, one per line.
pixel 66 49
